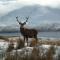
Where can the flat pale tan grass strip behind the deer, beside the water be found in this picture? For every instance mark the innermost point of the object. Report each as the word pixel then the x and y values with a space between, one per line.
pixel 40 41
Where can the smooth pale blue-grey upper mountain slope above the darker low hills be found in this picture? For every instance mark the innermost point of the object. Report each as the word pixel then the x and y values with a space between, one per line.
pixel 38 14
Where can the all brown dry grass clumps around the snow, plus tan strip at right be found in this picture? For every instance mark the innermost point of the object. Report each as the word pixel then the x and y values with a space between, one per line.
pixel 36 53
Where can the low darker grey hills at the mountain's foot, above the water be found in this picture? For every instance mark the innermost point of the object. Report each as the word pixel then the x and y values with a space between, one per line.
pixel 40 28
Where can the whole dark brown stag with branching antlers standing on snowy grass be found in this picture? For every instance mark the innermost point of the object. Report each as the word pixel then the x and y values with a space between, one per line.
pixel 27 33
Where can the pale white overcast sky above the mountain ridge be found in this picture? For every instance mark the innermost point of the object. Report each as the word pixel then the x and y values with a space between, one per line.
pixel 10 5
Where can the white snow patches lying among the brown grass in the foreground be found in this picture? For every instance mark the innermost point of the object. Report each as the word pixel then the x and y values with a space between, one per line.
pixel 25 50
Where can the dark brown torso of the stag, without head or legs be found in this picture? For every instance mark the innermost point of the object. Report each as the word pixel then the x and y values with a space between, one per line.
pixel 30 33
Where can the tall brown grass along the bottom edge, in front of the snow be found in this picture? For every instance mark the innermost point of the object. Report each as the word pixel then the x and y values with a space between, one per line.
pixel 35 55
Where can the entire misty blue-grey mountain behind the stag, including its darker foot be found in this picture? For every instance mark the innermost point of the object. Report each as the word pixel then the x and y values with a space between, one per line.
pixel 40 16
